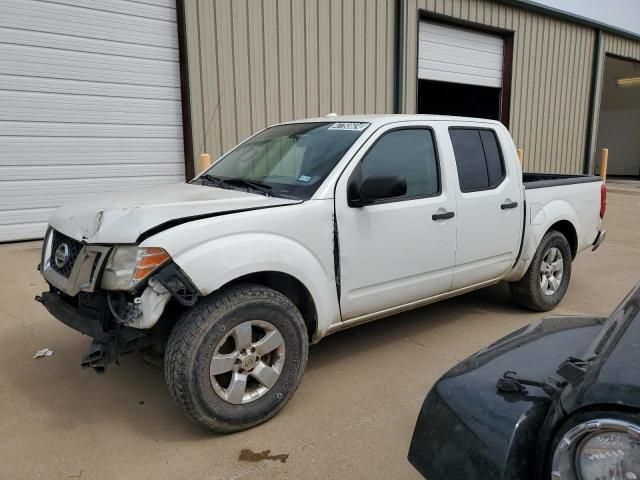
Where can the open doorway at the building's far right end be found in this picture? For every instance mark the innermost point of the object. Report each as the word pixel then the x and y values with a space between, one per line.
pixel 619 124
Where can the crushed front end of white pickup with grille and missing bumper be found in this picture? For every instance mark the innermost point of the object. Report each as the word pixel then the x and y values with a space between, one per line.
pixel 114 294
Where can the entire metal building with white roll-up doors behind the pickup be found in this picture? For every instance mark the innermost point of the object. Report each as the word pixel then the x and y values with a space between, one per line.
pixel 117 94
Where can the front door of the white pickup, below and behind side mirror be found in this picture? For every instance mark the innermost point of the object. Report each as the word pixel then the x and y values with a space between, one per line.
pixel 394 252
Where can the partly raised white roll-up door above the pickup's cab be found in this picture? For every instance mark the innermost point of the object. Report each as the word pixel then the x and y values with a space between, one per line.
pixel 450 54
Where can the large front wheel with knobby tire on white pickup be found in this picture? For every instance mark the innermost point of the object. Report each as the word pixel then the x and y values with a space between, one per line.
pixel 218 325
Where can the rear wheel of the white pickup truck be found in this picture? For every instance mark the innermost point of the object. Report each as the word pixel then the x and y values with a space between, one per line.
pixel 528 291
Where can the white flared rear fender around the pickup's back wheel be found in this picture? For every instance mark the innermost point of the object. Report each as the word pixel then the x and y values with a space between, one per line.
pixel 541 218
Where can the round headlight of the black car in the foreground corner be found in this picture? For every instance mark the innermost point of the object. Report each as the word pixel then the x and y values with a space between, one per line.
pixel 597 450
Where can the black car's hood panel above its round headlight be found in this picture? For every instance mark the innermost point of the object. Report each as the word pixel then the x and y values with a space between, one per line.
pixel 613 377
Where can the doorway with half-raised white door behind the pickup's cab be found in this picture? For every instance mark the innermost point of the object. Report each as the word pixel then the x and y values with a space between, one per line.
pixel 463 71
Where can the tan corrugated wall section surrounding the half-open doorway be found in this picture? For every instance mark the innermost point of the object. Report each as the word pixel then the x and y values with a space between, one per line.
pixel 552 64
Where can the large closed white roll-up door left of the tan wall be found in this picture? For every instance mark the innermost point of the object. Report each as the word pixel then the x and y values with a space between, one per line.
pixel 89 102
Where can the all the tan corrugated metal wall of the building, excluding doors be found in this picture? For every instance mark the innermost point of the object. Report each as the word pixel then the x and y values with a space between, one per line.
pixel 277 60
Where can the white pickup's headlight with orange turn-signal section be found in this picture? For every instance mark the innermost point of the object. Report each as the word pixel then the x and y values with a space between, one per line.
pixel 128 265
